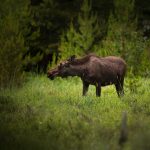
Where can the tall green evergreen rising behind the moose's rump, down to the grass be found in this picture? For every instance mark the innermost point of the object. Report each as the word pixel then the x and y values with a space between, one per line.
pixel 123 37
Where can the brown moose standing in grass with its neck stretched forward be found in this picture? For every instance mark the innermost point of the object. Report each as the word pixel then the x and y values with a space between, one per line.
pixel 93 70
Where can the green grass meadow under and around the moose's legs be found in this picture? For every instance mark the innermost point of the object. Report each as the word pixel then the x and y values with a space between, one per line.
pixel 45 114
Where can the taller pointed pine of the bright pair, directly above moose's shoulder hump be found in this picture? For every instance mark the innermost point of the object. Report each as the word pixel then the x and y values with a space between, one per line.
pixel 89 28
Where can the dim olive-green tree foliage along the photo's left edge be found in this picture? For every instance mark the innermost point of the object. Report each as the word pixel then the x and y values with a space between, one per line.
pixel 12 45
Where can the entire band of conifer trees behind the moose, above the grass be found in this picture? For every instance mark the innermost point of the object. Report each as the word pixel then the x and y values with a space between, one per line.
pixel 33 31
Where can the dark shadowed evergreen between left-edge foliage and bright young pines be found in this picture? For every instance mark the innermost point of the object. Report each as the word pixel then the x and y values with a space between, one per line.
pixel 46 23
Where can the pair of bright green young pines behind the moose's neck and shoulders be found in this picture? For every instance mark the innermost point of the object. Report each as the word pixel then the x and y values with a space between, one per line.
pixel 81 39
